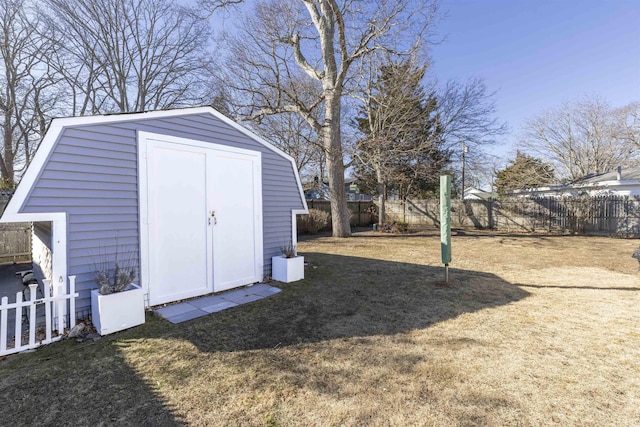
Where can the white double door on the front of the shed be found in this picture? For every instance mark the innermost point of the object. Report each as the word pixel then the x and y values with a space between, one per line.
pixel 203 207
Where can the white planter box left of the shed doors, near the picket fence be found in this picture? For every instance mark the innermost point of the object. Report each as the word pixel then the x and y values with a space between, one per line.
pixel 115 312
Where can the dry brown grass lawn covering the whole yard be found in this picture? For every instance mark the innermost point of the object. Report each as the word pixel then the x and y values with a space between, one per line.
pixel 532 331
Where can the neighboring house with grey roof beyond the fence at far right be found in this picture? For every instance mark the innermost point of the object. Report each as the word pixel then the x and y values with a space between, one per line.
pixel 620 182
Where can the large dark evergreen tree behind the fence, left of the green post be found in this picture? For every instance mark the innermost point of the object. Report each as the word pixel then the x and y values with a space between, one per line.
pixel 401 148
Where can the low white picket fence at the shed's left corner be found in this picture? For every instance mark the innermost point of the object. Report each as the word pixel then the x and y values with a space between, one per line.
pixel 55 308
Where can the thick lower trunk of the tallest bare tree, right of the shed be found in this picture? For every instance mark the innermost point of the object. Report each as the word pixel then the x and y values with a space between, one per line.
pixel 335 168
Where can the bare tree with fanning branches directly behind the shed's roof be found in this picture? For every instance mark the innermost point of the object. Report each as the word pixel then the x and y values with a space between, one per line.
pixel 129 55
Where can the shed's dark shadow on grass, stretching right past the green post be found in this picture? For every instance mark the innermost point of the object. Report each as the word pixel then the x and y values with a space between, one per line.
pixel 345 296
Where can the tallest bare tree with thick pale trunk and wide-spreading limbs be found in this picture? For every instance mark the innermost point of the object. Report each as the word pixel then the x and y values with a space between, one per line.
pixel 284 48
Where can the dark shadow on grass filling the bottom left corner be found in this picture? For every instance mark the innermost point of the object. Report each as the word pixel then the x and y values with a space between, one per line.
pixel 89 383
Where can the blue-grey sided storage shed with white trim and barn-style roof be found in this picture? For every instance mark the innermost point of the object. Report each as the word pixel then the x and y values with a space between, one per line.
pixel 200 202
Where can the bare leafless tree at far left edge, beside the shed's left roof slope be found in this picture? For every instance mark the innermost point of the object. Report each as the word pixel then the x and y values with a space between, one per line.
pixel 26 98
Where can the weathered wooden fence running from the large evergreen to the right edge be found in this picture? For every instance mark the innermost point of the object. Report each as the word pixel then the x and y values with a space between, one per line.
pixel 601 215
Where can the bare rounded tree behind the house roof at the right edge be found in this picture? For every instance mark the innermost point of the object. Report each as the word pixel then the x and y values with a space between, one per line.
pixel 584 137
